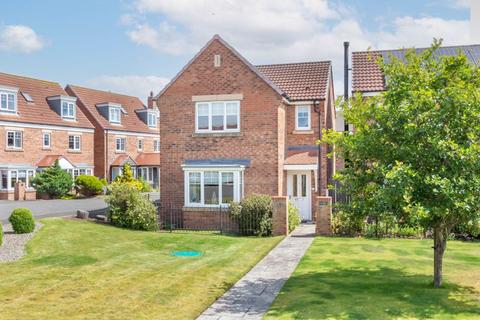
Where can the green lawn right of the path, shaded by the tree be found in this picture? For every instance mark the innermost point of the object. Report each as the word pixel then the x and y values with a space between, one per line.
pixel 342 278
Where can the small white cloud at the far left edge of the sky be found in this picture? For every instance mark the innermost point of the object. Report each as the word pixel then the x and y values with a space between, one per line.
pixel 19 38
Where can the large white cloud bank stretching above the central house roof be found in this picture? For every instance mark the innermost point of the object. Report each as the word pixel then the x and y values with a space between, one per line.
pixel 272 31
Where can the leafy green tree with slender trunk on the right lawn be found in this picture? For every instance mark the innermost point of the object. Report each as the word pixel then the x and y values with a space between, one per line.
pixel 415 151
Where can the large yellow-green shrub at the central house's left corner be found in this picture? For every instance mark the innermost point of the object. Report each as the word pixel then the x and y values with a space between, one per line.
pixel 128 208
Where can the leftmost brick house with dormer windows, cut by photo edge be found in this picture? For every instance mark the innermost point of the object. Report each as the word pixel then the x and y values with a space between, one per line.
pixel 40 123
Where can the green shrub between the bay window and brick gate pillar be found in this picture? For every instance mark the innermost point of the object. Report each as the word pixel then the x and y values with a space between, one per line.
pixel 253 215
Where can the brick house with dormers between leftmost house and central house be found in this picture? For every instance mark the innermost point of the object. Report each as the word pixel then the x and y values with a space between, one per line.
pixel 126 131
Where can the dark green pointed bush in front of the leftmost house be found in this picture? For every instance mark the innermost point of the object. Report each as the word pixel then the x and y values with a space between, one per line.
pixel 53 181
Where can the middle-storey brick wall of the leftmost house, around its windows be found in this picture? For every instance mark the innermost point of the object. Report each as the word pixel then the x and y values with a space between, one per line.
pixel 33 147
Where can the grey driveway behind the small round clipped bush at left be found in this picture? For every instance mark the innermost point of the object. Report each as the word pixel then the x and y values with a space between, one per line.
pixel 55 208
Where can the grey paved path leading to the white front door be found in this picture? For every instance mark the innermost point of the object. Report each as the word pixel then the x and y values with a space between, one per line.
pixel 252 295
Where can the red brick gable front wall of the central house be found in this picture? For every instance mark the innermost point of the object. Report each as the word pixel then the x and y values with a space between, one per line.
pixel 258 139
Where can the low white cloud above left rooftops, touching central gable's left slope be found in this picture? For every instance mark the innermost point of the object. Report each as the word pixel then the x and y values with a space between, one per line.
pixel 133 85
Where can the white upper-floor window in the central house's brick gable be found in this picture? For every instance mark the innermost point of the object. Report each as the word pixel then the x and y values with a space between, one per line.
pixel 217 116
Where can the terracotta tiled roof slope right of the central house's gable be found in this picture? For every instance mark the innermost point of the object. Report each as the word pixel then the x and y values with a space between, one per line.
pixel 300 81
